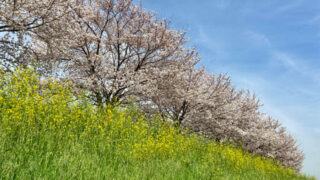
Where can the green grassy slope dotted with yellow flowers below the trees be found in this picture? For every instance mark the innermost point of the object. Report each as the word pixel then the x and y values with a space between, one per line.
pixel 45 133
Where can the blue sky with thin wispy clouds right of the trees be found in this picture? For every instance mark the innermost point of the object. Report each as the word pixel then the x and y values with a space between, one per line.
pixel 269 47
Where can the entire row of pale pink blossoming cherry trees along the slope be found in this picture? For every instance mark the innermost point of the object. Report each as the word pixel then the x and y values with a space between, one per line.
pixel 116 50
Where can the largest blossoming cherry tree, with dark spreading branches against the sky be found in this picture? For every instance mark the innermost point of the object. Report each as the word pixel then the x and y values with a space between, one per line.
pixel 109 45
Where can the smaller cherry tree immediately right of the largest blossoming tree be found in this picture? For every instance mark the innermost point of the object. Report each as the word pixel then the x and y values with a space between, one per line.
pixel 177 93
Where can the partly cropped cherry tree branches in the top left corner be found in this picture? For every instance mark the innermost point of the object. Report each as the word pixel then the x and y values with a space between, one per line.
pixel 19 19
